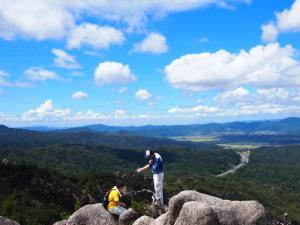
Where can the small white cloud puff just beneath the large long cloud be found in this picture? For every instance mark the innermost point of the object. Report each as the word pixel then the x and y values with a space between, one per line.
pixel 238 94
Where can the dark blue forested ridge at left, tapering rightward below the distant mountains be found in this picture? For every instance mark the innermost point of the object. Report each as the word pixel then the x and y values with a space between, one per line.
pixel 12 138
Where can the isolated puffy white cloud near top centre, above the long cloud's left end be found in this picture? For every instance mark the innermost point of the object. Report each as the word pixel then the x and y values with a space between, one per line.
pixel 154 43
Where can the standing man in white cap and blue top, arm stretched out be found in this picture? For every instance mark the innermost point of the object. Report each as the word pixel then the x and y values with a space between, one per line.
pixel 156 164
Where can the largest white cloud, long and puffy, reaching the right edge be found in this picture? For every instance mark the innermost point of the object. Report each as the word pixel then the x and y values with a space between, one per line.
pixel 262 66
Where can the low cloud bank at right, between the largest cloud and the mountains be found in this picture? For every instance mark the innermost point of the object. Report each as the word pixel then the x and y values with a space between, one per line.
pixel 241 103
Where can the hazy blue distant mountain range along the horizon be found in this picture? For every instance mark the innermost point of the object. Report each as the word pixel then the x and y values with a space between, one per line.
pixel 289 125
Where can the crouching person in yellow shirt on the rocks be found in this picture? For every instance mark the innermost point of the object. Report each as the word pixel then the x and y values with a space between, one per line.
pixel 115 206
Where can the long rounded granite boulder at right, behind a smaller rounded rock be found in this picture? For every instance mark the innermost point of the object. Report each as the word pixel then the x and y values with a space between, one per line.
pixel 228 212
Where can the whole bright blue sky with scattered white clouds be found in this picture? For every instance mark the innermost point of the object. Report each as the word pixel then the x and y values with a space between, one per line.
pixel 76 62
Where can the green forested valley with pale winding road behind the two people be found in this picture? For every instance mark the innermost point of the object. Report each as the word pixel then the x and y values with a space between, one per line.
pixel 39 167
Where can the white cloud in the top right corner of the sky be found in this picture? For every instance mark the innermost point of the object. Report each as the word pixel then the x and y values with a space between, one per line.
pixel 286 21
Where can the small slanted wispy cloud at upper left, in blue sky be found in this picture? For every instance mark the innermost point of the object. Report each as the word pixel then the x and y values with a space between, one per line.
pixel 64 60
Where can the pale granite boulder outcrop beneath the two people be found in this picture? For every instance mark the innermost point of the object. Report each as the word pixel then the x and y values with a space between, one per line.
pixel 186 208
